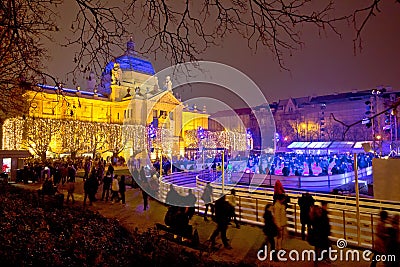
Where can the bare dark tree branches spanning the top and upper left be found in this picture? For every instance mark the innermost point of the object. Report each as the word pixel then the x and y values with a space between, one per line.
pixel 180 31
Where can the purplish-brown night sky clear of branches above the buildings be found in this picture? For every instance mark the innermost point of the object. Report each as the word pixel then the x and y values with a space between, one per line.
pixel 326 64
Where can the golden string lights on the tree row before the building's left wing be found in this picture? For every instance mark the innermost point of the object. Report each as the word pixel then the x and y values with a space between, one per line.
pixel 74 136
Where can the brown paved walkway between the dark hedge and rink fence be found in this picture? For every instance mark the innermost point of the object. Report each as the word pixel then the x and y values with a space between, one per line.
pixel 245 241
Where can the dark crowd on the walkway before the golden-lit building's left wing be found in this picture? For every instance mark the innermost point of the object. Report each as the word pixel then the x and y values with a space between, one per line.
pixel 98 174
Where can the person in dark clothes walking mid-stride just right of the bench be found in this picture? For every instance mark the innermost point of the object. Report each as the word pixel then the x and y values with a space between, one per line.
pixel 223 212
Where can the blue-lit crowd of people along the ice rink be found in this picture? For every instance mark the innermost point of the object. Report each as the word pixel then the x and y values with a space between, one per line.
pixel 280 164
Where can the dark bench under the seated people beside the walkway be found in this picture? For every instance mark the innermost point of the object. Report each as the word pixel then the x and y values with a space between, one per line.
pixel 185 237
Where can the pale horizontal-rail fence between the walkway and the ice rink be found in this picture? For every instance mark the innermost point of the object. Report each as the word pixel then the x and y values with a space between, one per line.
pixel 251 202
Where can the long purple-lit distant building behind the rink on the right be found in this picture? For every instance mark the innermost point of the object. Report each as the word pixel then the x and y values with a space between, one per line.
pixel 324 118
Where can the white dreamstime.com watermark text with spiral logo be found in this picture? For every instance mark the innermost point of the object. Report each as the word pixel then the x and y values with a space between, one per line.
pixel 340 254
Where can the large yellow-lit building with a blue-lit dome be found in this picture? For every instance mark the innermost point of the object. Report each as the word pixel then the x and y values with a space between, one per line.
pixel 95 120
